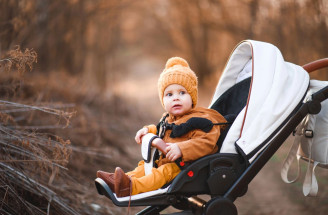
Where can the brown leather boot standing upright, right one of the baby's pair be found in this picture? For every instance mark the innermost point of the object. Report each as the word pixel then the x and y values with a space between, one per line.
pixel 122 183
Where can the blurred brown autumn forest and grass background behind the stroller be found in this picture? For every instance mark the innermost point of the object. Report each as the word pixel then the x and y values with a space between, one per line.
pixel 79 77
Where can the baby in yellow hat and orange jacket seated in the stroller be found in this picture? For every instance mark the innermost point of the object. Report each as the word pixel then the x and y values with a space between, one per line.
pixel 178 93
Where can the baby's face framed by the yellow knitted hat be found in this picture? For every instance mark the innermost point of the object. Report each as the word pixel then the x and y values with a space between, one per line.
pixel 177 100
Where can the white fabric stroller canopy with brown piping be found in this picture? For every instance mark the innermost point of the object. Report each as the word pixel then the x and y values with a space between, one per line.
pixel 277 87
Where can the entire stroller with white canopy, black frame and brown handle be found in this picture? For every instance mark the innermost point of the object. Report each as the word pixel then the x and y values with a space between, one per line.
pixel 263 97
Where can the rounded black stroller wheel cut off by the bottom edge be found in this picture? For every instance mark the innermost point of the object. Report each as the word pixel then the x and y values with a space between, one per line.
pixel 220 206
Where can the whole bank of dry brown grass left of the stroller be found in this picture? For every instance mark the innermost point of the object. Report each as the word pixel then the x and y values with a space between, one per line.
pixel 54 135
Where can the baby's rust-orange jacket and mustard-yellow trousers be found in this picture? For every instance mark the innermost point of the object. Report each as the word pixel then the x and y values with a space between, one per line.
pixel 193 145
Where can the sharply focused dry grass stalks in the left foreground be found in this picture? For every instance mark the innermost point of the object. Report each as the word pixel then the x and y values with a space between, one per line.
pixel 29 160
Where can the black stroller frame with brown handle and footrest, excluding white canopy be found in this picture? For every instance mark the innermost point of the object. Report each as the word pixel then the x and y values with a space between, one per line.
pixel 223 176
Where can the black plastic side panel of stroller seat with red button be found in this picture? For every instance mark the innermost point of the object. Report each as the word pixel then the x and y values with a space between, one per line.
pixel 204 176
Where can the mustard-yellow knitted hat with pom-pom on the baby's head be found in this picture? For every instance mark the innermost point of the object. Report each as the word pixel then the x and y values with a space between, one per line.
pixel 177 71
